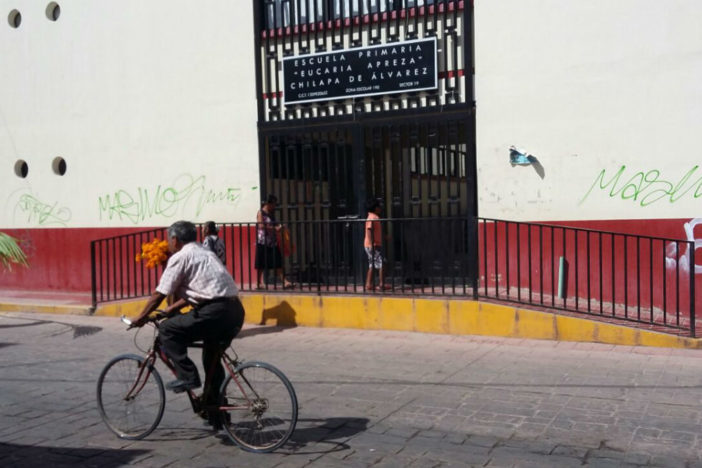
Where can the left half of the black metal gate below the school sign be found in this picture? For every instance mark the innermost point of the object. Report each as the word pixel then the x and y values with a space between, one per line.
pixel 312 175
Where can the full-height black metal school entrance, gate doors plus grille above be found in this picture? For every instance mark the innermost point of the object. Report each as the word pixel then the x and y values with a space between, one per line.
pixel 325 158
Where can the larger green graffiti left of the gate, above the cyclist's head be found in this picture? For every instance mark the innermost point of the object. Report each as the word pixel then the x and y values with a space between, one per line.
pixel 187 194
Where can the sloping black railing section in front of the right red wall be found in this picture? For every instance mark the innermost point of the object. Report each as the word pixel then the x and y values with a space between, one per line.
pixel 635 278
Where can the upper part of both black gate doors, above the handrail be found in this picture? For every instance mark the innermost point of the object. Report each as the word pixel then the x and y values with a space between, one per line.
pixel 419 169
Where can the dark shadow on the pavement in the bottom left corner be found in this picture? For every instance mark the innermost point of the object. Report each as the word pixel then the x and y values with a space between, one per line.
pixel 58 457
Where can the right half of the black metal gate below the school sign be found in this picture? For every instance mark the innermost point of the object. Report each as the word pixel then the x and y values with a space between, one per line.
pixel 423 170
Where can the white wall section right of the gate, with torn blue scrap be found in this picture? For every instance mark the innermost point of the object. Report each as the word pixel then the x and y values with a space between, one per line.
pixel 587 86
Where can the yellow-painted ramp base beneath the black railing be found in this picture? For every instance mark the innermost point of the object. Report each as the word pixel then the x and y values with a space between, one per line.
pixel 444 316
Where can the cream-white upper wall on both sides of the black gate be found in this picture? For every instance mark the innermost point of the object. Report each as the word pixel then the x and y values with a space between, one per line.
pixel 157 99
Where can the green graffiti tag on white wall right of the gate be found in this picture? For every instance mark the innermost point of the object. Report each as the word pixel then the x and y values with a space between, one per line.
pixel 646 188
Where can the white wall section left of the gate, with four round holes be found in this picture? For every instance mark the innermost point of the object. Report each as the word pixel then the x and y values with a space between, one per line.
pixel 143 100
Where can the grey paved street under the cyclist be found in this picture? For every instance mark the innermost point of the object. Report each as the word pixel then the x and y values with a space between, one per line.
pixel 367 398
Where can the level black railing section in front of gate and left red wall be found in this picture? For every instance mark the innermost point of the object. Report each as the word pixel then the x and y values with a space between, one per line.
pixel 427 256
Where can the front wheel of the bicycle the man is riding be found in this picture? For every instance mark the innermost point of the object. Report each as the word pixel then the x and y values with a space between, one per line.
pixel 130 398
